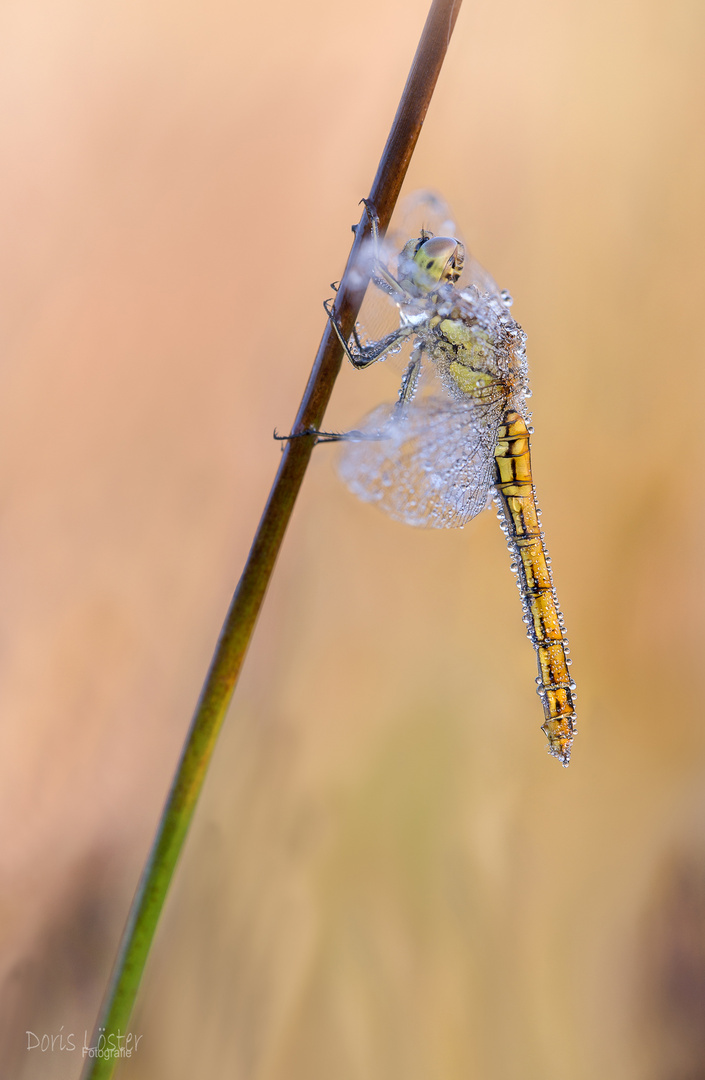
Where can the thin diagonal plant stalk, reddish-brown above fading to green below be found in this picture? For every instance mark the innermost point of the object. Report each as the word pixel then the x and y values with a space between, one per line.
pixel 248 600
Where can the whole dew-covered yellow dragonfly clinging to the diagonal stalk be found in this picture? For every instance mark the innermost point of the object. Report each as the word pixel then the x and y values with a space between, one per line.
pixel 458 437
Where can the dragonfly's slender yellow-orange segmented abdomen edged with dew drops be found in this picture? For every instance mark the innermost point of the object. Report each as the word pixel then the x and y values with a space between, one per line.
pixel 518 504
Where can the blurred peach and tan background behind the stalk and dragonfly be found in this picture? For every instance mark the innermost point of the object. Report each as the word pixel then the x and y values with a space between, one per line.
pixel 388 877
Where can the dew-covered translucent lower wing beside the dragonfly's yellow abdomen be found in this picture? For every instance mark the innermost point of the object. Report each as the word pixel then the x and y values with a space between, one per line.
pixel 431 466
